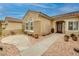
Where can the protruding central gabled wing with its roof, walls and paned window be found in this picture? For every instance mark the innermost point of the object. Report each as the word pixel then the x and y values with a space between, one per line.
pixel 37 23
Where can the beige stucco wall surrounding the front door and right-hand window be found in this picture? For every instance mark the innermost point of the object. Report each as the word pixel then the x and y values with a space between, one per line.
pixel 65 25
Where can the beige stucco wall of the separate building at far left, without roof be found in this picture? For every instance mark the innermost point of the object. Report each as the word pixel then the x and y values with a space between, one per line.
pixel 12 26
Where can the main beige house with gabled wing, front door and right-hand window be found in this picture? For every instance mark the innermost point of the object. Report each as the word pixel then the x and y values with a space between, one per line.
pixel 41 24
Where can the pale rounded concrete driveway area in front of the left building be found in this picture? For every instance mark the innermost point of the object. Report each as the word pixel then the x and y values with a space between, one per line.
pixel 21 41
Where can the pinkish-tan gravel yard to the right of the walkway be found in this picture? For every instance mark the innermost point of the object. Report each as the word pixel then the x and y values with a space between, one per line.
pixel 63 48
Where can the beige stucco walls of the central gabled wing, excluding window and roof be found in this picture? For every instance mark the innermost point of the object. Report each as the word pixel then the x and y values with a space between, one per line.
pixel 41 25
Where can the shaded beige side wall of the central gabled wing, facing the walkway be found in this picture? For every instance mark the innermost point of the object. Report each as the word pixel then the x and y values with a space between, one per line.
pixel 45 25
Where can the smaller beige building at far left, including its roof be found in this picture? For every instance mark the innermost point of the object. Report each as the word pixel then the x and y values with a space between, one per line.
pixel 11 25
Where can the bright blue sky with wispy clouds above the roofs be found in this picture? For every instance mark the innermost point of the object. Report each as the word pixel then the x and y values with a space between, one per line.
pixel 18 10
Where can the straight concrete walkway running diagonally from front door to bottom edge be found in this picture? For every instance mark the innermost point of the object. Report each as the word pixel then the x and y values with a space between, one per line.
pixel 39 48
